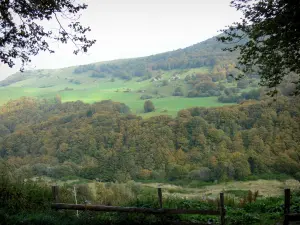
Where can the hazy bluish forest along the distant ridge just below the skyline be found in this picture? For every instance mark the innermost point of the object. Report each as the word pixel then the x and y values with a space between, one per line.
pixel 206 54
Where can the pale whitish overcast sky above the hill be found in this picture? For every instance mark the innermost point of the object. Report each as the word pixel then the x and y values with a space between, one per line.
pixel 134 28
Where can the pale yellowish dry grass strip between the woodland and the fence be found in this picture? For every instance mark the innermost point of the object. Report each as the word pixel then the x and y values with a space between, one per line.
pixel 266 188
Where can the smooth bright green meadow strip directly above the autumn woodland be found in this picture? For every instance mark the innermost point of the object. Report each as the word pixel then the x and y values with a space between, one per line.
pixel 168 105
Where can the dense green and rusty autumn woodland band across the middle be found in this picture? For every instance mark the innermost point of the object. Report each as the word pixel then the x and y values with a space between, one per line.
pixel 105 141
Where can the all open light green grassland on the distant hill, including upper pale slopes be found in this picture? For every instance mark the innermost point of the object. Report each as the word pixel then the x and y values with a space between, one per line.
pixel 48 84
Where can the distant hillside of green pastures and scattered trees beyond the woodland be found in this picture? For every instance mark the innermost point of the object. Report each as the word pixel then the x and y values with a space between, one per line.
pixel 198 75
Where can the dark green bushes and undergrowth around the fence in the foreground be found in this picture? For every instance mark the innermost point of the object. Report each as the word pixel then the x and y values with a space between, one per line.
pixel 29 203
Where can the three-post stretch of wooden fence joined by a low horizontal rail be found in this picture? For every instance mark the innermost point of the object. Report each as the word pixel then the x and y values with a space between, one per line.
pixel 161 211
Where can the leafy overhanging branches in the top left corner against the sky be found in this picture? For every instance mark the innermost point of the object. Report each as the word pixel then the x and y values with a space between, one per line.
pixel 23 35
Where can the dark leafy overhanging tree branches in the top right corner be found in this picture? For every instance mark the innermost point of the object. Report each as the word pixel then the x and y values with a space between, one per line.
pixel 268 38
